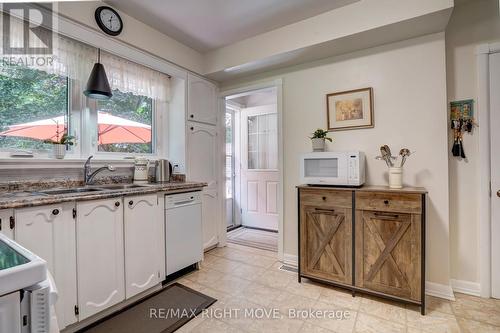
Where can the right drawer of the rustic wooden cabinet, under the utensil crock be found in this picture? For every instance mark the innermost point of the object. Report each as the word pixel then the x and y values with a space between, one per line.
pixel 389 202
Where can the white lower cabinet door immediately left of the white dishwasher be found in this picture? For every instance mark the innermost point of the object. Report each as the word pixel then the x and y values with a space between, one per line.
pixel 144 244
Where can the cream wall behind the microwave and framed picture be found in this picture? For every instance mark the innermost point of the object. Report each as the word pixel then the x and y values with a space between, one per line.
pixel 409 82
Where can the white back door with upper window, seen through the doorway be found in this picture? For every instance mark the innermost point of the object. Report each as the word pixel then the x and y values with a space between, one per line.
pixel 259 167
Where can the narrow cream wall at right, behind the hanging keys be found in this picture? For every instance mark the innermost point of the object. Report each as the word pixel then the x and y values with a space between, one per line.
pixel 472 23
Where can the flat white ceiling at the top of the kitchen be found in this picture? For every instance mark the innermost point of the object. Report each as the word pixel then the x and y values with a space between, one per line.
pixel 205 25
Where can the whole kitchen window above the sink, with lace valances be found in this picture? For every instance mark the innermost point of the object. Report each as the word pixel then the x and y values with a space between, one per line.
pixel 40 103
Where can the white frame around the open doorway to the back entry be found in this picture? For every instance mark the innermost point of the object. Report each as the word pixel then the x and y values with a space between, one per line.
pixel 278 84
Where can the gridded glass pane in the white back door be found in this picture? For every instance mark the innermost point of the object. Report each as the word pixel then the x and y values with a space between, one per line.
pixel 263 141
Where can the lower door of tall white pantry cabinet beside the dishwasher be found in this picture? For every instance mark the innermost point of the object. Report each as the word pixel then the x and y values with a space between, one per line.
pixel 202 166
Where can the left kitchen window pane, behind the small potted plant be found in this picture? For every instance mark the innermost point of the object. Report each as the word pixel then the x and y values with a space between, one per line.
pixel 33 108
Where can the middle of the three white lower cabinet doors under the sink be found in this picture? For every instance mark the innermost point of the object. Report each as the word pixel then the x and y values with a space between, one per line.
pixel 100 255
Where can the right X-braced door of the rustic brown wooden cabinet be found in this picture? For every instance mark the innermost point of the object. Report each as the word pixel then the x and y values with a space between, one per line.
pixel 388 253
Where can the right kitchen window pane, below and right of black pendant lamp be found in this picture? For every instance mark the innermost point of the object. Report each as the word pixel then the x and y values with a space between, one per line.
pixel 125 123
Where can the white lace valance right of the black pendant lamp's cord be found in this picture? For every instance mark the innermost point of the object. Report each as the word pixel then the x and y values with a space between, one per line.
pixel 128 76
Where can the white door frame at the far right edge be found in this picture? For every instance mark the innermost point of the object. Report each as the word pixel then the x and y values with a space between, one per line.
pixel 485 192
